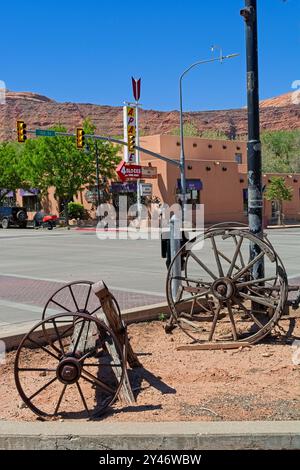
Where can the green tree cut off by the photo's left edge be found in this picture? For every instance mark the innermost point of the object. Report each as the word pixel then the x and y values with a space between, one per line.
pixel 11 174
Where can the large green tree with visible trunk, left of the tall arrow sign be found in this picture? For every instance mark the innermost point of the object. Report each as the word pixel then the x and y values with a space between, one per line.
pixel 55 161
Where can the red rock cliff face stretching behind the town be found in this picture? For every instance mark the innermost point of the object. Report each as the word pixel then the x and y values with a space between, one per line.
pixel 41 112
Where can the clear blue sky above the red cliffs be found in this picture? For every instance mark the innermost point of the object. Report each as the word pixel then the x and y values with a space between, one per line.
pixel 87 51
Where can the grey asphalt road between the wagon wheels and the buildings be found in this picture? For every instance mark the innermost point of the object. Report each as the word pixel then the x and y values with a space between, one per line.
pixel 132 266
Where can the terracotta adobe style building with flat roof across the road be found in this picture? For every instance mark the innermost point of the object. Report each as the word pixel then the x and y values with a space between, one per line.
pixel 216 172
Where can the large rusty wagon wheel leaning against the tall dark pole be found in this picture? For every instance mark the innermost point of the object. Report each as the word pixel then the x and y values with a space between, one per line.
pixel 216 298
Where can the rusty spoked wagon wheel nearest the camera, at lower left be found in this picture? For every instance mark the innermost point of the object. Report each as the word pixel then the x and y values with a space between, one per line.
pixel 80 378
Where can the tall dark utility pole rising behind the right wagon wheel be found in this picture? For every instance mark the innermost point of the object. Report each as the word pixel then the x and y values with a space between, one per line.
pixel 255 196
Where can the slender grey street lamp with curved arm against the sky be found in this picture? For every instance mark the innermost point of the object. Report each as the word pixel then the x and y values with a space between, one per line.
pixel 182 154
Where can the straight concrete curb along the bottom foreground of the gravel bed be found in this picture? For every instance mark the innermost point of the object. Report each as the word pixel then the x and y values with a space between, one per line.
pixel 150 436
